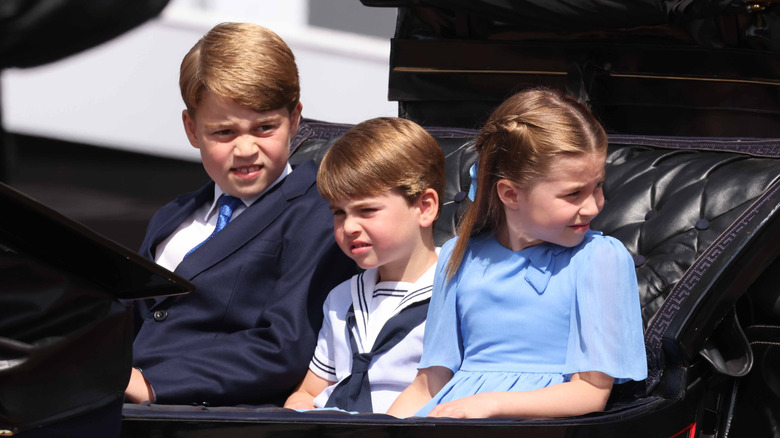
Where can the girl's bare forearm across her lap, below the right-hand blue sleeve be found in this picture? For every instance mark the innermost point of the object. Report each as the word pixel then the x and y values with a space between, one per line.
pixel 586 392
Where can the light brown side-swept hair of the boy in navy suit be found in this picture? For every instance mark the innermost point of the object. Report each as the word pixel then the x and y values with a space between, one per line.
pixel 244 62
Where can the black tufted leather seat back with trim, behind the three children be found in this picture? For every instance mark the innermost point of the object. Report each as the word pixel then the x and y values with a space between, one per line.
pixel 675 203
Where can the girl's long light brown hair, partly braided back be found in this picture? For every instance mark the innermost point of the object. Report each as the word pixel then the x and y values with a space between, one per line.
pixel 519 142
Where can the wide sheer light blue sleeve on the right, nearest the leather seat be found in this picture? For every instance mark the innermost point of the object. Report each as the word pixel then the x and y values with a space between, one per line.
pixel 606 332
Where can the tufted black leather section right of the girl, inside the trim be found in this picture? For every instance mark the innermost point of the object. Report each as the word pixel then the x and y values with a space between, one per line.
pixel 667 206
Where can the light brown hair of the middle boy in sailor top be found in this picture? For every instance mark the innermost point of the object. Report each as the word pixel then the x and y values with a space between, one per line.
pixel 382 154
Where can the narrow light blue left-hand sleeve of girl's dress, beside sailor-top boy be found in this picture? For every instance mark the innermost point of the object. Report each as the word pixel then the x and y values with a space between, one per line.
pixel 442 343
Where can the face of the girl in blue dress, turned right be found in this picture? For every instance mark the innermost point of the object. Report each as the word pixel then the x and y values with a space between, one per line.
pixel 557 208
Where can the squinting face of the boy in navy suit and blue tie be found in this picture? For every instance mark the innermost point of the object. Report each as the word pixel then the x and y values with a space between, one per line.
pixel 242 150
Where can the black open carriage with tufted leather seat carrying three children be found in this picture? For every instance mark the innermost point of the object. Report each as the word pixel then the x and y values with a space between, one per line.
pixel 690 95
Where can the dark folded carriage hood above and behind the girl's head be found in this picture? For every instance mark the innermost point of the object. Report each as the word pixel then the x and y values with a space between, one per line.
pixel 682 68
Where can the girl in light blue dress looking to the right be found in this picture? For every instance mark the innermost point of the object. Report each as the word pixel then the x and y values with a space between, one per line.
pixel 533 314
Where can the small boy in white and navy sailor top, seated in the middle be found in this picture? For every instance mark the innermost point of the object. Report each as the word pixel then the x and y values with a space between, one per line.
pixel 384 179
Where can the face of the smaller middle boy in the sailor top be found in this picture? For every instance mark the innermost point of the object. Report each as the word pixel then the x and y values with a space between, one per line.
pixel 384 231
